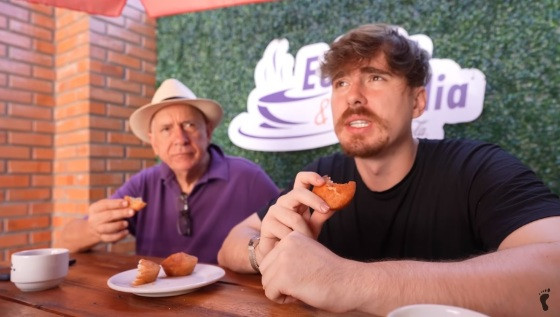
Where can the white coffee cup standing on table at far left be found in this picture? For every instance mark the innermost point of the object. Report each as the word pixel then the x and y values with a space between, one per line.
pixel 39 269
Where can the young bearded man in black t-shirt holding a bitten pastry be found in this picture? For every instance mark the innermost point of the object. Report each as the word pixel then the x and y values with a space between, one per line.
pixel 432 221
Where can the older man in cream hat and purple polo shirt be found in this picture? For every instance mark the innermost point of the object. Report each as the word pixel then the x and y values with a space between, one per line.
pixel 194 196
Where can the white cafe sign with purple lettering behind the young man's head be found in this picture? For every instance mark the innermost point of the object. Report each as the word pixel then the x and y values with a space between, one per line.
pixel 290 110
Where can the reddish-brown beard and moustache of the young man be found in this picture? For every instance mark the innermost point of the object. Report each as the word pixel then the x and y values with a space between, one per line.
pixel 363 146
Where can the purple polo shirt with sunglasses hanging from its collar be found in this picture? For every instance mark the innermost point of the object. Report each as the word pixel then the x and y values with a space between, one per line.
pixel 231 189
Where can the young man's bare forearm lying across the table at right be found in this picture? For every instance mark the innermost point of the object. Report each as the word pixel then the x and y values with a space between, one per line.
pixel 504 283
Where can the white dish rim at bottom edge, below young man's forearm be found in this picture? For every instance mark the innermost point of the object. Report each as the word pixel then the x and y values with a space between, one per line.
pixel 432 310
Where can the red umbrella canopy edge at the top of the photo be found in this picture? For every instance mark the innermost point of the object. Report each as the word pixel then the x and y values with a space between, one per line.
pixel 154 8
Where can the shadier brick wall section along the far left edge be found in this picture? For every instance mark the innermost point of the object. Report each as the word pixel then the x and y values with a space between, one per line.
pixel 26 125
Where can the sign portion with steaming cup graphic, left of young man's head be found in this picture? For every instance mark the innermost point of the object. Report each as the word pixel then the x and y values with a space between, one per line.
pixel 289 109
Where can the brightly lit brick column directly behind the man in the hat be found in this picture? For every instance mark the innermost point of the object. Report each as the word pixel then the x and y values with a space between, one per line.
pixel 105 70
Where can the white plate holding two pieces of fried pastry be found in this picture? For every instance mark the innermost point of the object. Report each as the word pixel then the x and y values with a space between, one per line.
pixel 202 275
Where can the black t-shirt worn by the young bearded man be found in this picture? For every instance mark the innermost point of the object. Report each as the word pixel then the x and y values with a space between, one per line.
pixel 461 198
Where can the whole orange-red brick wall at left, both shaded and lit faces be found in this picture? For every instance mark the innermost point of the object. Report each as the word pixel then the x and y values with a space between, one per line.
pixel 68 82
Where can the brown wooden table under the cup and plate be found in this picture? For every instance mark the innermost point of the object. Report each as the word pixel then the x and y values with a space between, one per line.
pixel 84 292
